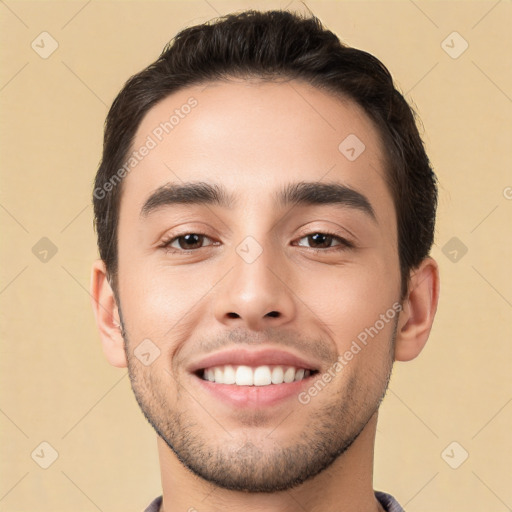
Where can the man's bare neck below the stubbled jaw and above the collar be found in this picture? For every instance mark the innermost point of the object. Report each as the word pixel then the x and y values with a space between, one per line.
pixel 347 484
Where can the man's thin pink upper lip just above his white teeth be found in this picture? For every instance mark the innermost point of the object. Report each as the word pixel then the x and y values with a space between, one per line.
pixel 268 356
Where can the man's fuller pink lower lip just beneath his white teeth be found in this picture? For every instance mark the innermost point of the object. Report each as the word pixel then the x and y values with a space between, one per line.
pixel 254 396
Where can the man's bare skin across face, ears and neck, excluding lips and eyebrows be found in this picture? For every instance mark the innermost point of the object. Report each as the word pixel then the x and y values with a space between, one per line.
pixel 254 138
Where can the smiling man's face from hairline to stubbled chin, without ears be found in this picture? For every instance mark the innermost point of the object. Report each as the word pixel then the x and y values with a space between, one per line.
pixel 307 278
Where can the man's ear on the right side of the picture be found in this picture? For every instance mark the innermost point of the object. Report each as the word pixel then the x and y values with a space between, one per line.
pixel 419 309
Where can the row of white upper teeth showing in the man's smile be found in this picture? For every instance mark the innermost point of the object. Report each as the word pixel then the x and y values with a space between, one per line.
pixel 259 376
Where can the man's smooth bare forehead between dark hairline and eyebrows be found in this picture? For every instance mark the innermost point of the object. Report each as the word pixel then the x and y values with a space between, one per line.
pixel 253 137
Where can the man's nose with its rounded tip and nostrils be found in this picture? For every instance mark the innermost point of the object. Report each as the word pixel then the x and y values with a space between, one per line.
pixel 255 295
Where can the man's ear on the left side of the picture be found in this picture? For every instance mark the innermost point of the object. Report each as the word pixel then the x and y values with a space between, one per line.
pixel 107 316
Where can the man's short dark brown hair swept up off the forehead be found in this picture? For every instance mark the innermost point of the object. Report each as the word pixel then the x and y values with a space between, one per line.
pixel 271 45
